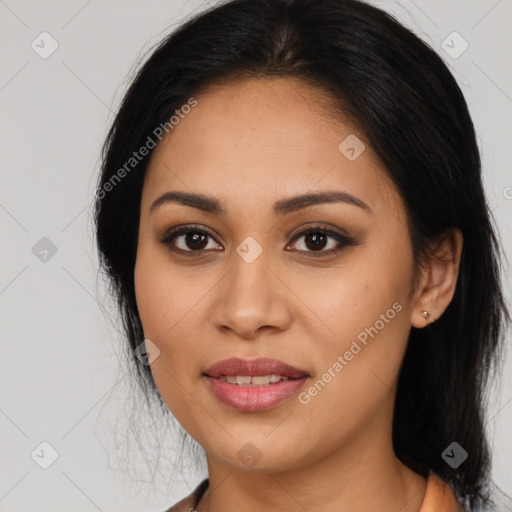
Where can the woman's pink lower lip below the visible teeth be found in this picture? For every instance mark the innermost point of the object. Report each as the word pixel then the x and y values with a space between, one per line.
pixel 255 398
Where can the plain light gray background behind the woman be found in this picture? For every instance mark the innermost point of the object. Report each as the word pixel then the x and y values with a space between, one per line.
pixel 60 364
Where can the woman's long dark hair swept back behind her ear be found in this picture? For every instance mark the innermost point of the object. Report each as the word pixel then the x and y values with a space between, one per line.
pixel 402 97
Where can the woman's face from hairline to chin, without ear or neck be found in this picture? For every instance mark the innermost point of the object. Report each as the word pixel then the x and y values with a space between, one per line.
pixel 246 284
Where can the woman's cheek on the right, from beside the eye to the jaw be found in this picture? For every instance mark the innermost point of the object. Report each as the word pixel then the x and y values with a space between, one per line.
pixel 364 307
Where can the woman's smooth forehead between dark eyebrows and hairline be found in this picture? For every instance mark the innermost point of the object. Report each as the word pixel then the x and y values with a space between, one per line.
pixel 259 140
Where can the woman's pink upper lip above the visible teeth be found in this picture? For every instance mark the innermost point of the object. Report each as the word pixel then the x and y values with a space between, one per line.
pixel 254 367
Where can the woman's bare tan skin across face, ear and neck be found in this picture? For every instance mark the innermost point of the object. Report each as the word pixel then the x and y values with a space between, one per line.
pixel 250 144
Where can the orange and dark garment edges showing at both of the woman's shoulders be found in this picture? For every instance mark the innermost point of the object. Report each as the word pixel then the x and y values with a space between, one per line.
pixel 438 497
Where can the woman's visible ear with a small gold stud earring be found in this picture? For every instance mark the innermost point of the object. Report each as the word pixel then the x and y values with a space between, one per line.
pixel 438 278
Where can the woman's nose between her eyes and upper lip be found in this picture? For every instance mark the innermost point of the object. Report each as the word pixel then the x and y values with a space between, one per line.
pixel 251 300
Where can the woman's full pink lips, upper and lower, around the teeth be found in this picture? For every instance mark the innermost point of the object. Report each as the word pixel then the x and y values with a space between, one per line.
pixel 254 398
